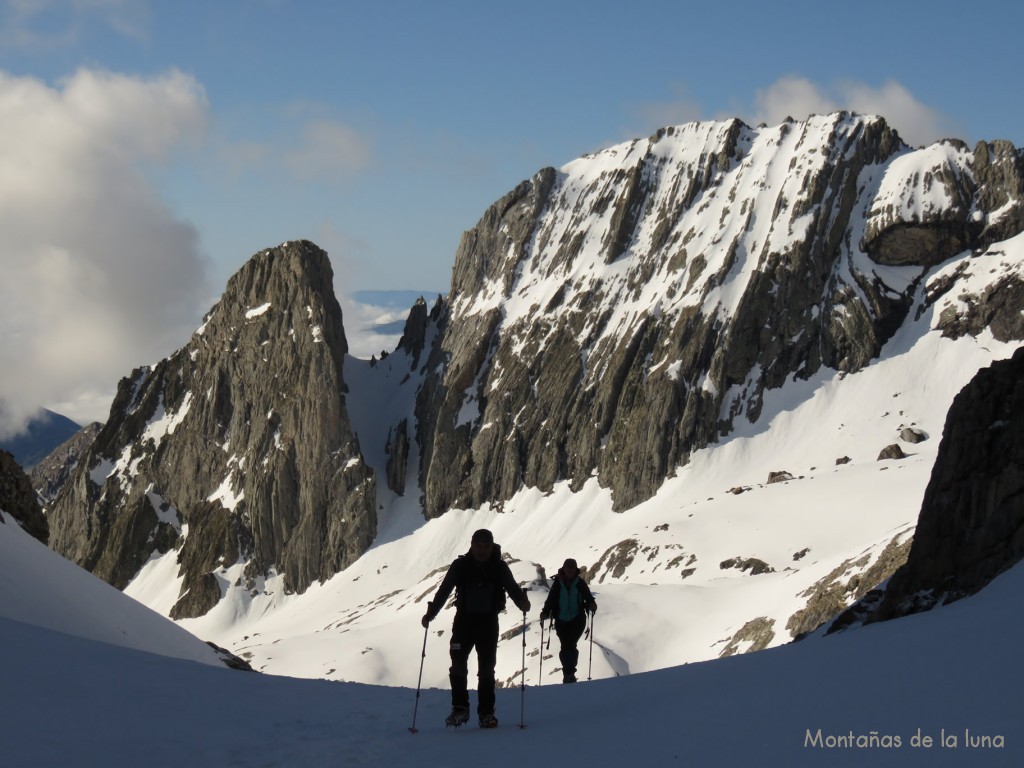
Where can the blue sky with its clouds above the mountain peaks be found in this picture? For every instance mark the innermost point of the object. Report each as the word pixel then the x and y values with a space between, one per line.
pixel 205 132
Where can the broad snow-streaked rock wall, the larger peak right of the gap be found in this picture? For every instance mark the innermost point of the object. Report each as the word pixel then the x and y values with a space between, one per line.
pixel 610 318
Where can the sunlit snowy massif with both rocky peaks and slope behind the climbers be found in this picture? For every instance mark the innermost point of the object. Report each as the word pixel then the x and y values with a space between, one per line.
pixel 678 361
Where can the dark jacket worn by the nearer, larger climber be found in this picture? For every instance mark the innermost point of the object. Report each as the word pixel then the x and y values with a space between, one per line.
pixel 481 587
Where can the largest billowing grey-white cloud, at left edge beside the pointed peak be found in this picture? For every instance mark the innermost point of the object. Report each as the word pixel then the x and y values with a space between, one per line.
pixel 99 275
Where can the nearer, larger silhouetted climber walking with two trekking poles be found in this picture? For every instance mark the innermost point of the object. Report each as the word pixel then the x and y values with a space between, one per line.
pixel 481 579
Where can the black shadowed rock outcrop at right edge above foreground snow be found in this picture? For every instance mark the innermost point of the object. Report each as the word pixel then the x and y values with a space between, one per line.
pixel 972 519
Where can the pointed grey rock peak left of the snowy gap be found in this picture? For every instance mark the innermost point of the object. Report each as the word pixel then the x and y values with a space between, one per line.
pixel 237 450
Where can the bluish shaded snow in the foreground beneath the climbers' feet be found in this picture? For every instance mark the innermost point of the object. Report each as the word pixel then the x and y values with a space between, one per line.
pixel 871 697
